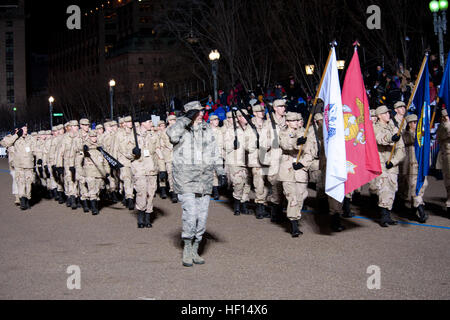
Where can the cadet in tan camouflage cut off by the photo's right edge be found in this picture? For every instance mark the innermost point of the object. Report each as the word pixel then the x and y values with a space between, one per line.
pixel 443 135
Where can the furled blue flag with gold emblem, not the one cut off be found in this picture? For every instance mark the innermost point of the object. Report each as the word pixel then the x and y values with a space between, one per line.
pixel 422 144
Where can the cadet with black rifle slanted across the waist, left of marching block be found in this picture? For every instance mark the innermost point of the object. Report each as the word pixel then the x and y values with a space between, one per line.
pixel 94 169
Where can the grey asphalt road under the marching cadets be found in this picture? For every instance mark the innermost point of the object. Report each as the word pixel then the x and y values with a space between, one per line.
pixel 245 258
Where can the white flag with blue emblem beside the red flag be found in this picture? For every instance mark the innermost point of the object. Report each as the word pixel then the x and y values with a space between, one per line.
pixel 333 131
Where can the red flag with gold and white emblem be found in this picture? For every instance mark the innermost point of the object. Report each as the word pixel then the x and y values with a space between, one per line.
pixel 363 162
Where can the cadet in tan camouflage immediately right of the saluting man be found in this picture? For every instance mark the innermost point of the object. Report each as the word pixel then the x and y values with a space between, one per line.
pixel 235 146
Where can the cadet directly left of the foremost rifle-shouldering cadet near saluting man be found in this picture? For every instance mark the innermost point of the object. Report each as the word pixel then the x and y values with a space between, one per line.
pixel 124 145
